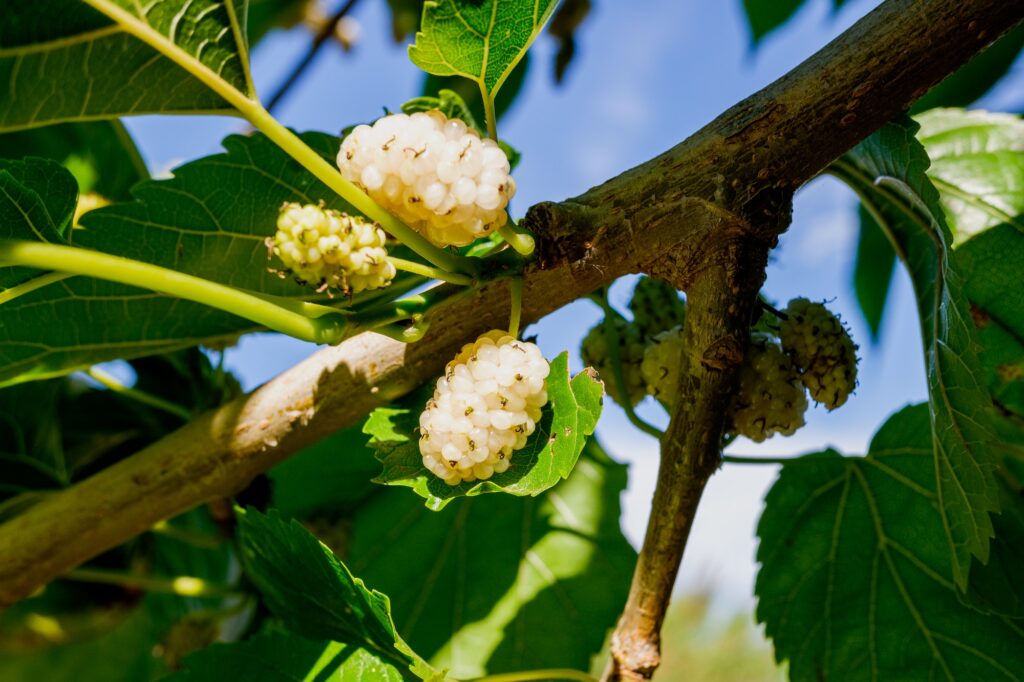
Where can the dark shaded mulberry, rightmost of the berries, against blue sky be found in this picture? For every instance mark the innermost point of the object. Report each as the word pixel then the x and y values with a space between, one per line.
pixel 822 348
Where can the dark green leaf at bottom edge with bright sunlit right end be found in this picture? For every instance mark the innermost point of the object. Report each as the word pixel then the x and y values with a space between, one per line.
pixel 281 657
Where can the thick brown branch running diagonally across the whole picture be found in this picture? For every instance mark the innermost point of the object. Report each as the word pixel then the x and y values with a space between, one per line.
pixel 656 218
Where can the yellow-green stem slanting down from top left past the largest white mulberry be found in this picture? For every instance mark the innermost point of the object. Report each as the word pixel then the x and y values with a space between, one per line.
pixel 264 121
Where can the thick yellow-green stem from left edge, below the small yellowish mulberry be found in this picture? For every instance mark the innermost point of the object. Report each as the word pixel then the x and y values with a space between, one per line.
pixel 328 329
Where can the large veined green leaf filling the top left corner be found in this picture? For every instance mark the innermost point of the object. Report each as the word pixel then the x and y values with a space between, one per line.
pixel 83 66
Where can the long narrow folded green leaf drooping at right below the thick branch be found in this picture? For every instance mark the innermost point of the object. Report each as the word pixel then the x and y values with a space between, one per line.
pixel 888 173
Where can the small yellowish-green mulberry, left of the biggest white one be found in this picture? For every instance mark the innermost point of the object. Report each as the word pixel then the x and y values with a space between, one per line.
pixel 331 250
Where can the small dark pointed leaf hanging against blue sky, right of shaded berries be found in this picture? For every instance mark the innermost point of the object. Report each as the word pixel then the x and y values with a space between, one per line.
pixel 873 271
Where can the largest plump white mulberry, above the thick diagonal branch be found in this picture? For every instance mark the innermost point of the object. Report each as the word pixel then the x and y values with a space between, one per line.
pixel 434 173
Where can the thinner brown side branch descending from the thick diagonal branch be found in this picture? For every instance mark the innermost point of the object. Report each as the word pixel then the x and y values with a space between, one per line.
pixel 720 304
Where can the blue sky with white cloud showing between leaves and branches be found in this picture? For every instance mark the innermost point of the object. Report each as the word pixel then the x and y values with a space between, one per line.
pixel 647 75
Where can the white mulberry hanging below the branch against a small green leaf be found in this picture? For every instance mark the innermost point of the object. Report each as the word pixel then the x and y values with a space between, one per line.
pixel 484 409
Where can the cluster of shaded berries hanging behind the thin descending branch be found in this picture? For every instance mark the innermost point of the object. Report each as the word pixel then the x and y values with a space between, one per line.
pixel 813 353
